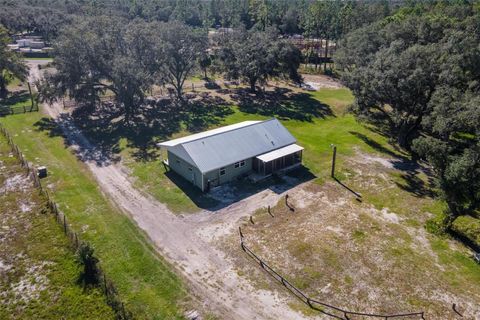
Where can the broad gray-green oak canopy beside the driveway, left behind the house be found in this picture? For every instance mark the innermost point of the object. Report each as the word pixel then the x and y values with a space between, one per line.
pixel 105 55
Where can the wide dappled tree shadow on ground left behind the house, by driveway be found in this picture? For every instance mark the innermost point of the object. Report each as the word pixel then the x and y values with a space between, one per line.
pixel 103 127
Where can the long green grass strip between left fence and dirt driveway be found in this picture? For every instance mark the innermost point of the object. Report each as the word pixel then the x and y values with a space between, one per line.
pixel 144 280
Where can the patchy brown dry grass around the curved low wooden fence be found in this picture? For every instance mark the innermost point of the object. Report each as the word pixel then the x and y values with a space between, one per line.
pixel 362 256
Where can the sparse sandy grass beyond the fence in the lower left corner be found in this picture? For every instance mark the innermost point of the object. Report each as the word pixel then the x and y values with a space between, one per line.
pixel 38 273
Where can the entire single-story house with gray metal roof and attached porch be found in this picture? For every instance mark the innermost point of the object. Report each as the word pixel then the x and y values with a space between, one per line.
pixel 213 157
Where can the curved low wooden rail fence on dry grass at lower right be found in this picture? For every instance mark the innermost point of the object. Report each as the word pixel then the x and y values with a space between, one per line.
pixel 325 308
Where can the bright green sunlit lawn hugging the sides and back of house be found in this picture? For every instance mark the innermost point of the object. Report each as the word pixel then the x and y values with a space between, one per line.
pixel 316 136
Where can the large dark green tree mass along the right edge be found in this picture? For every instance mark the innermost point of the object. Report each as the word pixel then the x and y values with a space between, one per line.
pixel 417 76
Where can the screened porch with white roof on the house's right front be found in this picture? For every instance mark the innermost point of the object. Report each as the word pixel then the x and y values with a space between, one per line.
pixel 277 160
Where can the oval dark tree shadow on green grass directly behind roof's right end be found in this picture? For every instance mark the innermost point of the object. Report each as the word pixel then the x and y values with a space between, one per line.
pixel 282 103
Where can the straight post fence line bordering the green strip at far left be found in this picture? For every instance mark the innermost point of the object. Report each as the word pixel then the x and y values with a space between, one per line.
pixel 103 282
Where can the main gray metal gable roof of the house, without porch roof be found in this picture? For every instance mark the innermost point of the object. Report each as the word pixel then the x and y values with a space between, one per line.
pixel 217 150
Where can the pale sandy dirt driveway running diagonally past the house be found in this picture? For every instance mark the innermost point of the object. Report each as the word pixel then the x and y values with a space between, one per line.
pixel 210 275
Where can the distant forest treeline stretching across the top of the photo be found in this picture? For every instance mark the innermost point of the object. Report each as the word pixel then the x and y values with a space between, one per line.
pixel 48 17
